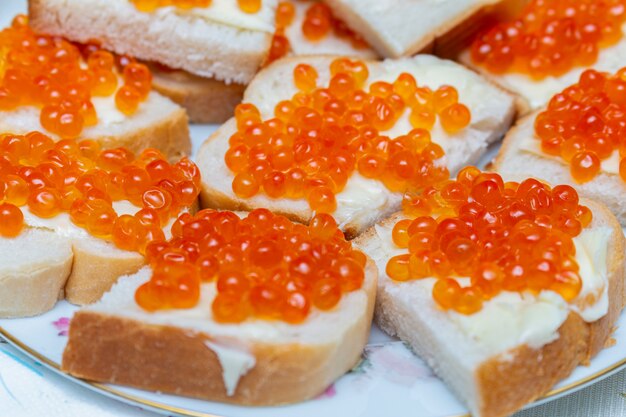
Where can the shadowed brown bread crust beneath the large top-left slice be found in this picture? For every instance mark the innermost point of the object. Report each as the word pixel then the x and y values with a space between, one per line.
pixel 206 100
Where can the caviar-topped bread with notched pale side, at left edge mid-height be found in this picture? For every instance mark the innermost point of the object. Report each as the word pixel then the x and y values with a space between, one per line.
pixel 106 205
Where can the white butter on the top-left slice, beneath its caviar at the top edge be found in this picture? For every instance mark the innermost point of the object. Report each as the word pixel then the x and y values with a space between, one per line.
pixel 227 12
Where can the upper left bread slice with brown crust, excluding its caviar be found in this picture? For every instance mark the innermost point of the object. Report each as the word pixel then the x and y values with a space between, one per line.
pixel 158 123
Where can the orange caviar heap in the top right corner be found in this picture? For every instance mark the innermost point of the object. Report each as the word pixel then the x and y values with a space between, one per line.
pixel 551 37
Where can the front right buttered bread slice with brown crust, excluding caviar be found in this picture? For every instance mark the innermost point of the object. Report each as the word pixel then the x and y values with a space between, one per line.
pixel 503 360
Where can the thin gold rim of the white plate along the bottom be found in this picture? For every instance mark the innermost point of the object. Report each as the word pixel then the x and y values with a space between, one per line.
pixel 188 413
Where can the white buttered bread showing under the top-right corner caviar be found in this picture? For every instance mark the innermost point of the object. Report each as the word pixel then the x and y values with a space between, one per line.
pixel 533 94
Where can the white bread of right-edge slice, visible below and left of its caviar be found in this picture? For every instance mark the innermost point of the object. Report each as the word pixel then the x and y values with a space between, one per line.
pixel 516 159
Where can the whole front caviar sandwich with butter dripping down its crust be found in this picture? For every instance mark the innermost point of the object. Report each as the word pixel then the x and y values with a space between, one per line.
pixel 240 307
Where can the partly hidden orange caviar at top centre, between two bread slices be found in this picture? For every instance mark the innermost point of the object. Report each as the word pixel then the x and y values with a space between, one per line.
pixel 317 25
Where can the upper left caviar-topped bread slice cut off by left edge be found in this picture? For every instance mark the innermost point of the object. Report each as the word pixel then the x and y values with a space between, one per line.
pixel 73 91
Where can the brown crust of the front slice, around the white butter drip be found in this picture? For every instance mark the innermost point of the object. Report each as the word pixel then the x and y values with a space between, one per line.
pixel 128 352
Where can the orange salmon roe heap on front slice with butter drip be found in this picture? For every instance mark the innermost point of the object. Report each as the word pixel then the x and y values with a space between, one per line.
pixel 264 266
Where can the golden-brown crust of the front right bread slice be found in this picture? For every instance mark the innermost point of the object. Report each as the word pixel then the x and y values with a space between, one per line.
pixel 504 385
